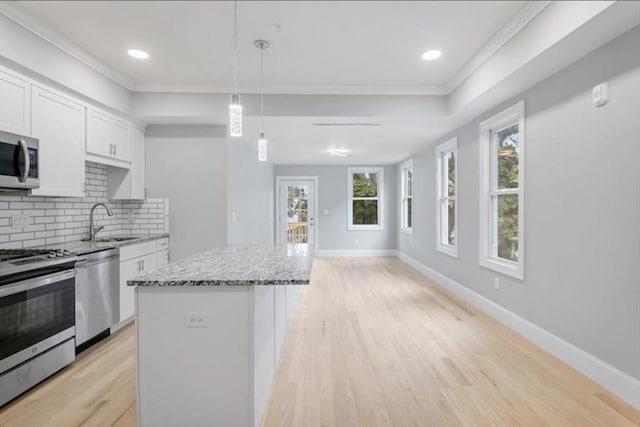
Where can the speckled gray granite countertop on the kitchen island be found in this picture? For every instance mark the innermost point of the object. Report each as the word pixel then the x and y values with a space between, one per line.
pixel 236 265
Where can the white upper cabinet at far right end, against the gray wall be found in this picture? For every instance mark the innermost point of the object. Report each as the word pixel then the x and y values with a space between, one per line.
pixel 129 184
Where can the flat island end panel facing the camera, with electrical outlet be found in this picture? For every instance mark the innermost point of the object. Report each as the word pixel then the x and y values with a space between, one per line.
pixel 194 376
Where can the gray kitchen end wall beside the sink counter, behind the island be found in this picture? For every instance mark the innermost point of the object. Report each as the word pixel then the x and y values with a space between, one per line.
pixel 187 165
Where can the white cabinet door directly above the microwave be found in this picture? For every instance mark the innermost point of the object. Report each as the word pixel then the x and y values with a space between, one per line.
pixel 15 104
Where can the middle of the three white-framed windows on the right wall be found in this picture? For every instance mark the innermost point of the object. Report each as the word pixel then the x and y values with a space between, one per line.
pixel 447 191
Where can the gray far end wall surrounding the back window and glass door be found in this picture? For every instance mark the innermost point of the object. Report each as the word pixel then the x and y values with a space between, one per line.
pixel 332 195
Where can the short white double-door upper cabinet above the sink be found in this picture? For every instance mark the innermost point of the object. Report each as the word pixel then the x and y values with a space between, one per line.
pixel 108 139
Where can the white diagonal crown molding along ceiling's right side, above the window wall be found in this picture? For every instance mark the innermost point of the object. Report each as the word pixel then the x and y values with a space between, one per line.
pixel 512 27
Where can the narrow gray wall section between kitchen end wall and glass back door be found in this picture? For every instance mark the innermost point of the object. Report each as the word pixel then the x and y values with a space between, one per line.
pixel 250 197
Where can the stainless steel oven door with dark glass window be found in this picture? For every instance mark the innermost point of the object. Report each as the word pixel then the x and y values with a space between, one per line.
pixel 35 315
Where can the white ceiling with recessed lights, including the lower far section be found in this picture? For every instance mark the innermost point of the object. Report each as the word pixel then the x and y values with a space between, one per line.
pixel 323 48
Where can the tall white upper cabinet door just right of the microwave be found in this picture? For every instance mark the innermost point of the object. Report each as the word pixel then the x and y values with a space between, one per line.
pixel 59 124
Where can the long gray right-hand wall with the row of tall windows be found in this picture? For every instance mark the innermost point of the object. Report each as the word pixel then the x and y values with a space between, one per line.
pixel 582 208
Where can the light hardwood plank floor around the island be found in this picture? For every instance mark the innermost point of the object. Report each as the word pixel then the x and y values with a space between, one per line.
pixel 373 343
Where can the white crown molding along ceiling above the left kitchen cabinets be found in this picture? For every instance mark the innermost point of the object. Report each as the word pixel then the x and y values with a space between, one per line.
pixel 63 43
